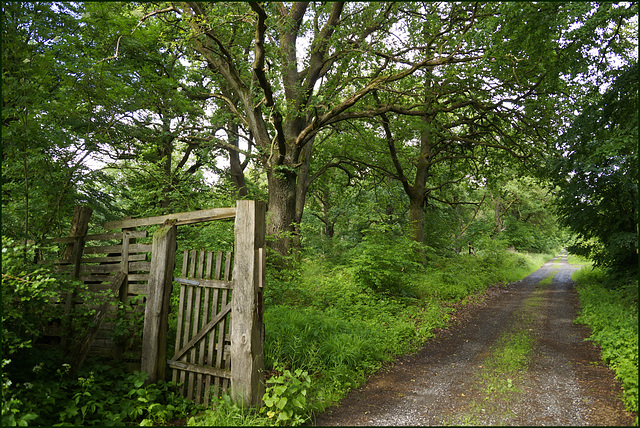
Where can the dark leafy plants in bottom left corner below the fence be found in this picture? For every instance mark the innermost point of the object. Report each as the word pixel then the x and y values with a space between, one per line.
pixel 101 395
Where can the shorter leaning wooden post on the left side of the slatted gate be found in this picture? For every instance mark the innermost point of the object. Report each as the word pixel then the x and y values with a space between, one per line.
pixel 156 313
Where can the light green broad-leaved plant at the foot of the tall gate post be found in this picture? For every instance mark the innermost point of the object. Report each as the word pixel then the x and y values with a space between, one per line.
pixel 285 398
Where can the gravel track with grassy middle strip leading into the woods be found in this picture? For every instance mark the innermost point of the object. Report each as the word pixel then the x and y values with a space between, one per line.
pixel 511 357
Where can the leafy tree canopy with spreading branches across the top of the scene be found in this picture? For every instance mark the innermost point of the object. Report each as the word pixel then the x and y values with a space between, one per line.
pixel 433 116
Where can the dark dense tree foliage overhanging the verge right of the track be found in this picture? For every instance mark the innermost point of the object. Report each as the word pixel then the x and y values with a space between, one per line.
pixel 597 178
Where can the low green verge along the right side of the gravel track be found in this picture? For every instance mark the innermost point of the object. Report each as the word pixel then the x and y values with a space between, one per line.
pixel 612 315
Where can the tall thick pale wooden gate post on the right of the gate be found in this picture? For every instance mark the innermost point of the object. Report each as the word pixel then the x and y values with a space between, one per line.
pixel 247 357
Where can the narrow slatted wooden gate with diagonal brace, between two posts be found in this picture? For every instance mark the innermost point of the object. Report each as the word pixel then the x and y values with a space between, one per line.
pixel 202 361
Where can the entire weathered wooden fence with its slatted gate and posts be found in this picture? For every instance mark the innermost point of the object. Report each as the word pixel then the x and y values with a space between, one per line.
pixel 219 345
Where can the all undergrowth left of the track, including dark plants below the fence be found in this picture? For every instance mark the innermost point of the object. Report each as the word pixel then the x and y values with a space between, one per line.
pixel 328 326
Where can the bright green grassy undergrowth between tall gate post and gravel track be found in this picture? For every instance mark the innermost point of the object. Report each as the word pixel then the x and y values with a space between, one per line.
pixel 327 329
